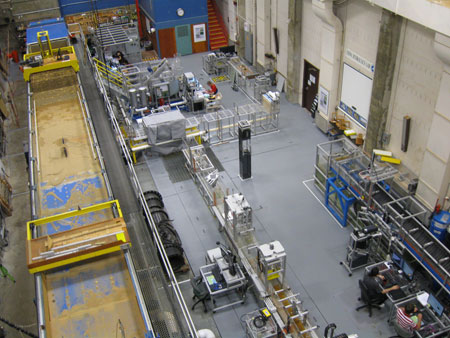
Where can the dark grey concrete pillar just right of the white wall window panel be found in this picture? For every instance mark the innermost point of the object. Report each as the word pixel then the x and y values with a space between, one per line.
pixel 388 45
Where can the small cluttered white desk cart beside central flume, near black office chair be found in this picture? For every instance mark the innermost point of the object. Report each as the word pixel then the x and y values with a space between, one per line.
pixel 236 283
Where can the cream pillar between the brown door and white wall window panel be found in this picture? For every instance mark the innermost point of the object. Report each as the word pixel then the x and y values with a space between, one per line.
pixel 331 44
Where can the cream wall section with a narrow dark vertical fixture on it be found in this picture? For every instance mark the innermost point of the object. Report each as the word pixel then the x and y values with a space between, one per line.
pixel 416 93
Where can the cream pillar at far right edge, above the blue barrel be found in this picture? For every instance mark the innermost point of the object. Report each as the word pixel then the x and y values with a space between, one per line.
pixel 434 179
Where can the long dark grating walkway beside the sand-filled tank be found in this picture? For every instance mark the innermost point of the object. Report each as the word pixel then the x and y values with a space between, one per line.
pixel 156 292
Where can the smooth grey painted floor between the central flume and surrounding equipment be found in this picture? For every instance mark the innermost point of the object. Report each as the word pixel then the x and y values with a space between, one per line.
pixel 286 207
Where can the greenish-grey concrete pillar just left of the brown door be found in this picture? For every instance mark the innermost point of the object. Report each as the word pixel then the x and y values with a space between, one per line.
pixel 294 57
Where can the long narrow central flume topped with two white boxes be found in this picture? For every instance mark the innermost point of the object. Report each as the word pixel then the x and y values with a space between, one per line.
pixel 267 273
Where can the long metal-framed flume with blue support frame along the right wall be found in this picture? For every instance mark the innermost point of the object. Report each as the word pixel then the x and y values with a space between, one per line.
pixel 402 220
